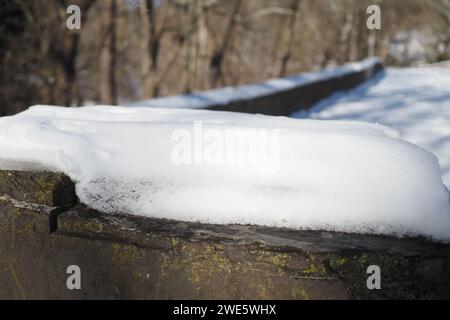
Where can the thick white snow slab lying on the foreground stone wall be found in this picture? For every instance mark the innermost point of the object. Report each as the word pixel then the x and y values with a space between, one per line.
pixel 331 175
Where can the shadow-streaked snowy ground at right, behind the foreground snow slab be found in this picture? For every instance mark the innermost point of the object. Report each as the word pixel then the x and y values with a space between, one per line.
pixel 413 101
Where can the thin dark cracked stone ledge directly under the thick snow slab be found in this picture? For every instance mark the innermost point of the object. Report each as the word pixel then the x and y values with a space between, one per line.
pixel 143 231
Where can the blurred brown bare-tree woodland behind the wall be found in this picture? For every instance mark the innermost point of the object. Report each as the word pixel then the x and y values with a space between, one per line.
pixel 130 50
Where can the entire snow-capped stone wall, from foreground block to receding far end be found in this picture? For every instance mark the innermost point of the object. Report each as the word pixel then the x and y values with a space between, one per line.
pixel 44 228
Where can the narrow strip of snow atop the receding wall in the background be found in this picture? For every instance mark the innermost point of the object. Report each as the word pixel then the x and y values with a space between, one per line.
pixel 225 95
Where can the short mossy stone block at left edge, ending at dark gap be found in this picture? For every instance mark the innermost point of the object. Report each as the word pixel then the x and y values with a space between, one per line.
pixel 45 188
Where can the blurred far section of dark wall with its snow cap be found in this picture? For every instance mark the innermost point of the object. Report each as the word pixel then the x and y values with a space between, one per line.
pixel 280 97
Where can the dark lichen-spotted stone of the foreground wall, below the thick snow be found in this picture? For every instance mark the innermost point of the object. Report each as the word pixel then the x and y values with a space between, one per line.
pixel 132 257
